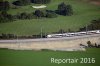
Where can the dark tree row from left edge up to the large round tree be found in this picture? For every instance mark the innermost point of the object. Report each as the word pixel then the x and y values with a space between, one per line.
pixel 5 17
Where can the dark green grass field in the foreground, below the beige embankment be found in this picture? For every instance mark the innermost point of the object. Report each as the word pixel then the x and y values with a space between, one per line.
pixel 42 58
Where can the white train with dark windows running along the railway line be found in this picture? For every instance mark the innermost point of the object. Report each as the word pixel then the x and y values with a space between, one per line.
pixel 73 34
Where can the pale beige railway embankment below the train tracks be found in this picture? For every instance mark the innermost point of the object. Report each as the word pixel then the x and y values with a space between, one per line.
pixel 62 44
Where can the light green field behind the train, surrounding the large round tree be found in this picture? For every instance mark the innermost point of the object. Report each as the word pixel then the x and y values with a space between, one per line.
pixel 84 12
